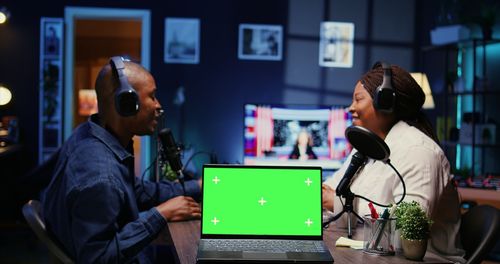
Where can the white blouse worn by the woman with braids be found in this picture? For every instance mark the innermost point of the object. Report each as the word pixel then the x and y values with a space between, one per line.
pixel 426 173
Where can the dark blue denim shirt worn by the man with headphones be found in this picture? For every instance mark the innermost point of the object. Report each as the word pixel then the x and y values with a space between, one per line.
pixel 95 206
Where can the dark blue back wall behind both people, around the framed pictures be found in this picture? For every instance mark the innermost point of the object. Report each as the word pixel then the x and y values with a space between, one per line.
pixel 217 87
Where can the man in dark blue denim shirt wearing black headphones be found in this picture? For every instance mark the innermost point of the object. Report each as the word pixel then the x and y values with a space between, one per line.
pixel 94 205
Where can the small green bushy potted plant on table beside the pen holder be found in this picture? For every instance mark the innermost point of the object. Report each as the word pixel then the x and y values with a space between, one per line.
pixel 415 226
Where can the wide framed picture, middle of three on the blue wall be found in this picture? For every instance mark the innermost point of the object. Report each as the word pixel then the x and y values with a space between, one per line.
pixel 260 42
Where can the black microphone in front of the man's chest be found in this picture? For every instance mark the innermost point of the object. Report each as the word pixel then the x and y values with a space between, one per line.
pixel 171 153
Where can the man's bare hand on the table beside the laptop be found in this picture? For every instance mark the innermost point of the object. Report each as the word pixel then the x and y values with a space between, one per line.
pixel 180 208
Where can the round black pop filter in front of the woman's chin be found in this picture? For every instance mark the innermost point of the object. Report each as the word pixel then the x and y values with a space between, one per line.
pixel 367 142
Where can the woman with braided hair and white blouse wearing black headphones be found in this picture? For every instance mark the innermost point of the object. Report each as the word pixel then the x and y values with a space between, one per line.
pixel 388 101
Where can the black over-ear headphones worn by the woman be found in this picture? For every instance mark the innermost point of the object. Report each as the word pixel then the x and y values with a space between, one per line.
pixel 385 96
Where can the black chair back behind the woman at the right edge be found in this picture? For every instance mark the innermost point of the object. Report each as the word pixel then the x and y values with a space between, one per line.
pixel 479 231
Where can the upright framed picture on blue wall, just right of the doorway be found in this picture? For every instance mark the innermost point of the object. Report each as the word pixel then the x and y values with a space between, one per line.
pixel 182 40
